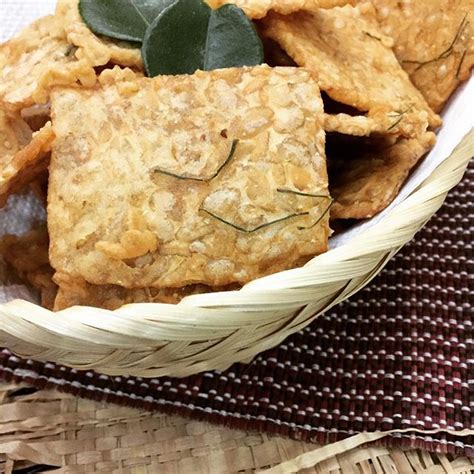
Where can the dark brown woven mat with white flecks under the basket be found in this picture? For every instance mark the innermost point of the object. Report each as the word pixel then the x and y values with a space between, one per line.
pixel 395 356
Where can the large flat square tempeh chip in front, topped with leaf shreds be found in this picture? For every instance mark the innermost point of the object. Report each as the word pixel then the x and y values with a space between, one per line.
pixel 214 178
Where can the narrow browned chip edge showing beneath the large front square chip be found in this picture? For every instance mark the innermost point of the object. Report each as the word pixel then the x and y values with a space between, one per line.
pixel 75 292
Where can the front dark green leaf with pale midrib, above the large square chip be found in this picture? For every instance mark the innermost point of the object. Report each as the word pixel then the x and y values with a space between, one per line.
pixel 188 35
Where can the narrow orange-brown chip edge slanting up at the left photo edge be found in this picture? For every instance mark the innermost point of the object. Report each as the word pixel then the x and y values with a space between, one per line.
pixel 18 170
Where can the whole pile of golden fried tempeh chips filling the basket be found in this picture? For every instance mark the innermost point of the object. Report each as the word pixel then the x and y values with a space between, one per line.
pixel 160 188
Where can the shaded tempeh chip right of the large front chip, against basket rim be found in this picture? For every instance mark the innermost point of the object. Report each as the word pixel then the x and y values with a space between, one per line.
pixel 365 179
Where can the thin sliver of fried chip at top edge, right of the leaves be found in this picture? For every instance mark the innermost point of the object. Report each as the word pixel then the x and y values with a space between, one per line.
pixel 256 9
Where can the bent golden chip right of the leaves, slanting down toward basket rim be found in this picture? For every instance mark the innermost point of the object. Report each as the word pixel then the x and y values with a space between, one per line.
pixel 355 65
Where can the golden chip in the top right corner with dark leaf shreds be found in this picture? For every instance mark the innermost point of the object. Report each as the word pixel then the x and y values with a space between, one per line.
pixel 434 42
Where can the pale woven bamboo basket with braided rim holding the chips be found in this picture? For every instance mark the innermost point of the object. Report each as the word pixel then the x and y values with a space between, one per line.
pixel 213 331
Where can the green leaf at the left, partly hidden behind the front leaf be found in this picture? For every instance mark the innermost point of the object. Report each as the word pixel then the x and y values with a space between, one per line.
pixel 125 20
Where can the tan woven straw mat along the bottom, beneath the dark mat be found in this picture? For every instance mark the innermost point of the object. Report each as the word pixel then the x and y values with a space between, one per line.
pixel 75 435
